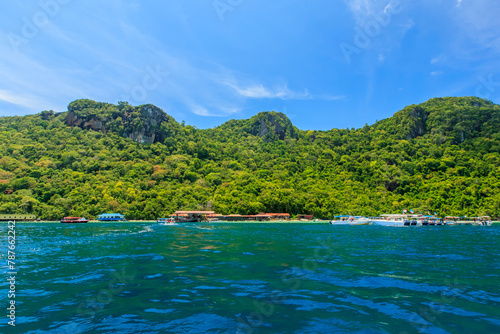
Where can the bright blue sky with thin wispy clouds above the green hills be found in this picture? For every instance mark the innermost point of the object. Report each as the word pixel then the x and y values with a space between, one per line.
pixel 326 64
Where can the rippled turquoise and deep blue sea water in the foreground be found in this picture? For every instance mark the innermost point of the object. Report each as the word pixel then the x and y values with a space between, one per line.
pixel 253 278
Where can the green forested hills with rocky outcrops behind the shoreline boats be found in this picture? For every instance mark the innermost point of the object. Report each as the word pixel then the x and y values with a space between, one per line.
pixel 440 156
